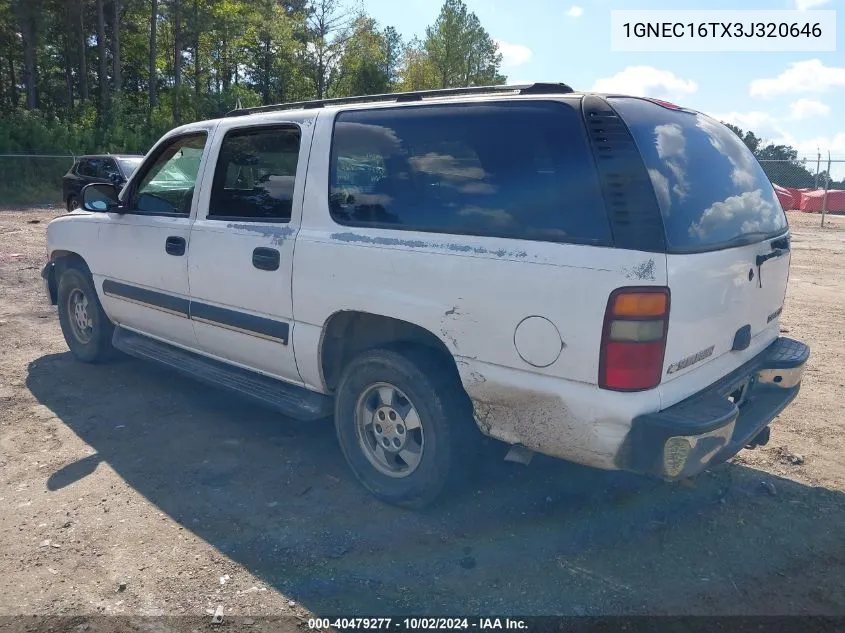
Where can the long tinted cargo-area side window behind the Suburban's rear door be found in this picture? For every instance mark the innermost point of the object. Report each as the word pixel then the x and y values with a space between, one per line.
pixel 518 169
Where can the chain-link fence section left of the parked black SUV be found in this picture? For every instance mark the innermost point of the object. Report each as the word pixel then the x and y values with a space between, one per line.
pixel 33 179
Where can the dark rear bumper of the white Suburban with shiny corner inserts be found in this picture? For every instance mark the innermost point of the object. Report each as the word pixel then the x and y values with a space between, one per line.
pixel 715 424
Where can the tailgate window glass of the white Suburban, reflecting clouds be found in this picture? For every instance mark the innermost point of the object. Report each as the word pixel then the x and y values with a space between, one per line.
pixel 711 189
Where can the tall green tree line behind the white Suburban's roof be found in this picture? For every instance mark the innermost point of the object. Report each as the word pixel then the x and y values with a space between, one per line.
pixel 113 75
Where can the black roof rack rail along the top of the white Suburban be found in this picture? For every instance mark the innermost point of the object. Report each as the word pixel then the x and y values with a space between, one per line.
pixel 402 97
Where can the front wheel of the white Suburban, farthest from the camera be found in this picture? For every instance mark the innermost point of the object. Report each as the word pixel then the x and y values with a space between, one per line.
pixel 86 328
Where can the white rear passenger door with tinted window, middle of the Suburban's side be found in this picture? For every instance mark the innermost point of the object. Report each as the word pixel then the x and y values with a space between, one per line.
pixel 242 248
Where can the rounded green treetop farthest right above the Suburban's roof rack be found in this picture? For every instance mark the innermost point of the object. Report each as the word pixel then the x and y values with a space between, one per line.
pixel 461 51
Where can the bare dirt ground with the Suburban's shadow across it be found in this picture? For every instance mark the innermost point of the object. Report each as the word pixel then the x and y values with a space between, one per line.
pixel 128 490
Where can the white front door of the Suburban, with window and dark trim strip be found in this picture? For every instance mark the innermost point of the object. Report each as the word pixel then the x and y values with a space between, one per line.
pixel 144 280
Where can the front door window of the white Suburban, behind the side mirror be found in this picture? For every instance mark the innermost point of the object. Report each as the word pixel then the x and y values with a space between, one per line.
pixel 167 187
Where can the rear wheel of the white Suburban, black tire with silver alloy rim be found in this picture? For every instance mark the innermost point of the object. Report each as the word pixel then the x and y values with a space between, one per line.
pixel 404 424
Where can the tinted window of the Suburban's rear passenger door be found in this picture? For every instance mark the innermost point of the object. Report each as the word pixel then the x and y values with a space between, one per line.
pixel 255 174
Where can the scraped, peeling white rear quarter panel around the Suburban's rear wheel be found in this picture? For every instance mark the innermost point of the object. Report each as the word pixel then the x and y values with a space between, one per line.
pixel 472 292
